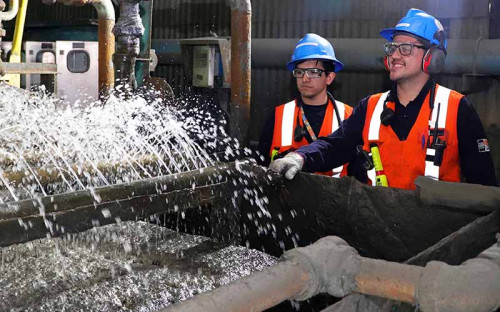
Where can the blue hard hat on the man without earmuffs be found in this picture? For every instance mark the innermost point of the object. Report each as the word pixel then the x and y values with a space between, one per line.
pixel 314 47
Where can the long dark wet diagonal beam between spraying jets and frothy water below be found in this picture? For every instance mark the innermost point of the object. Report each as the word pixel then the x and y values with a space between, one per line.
pixel 55 215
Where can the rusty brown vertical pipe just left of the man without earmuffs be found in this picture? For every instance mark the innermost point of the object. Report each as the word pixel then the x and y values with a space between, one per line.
pixel 241 22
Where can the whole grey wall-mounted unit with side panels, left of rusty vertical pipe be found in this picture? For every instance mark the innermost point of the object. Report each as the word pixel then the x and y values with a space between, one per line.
pixel 207 61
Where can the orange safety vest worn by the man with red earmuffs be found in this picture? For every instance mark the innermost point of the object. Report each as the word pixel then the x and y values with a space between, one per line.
pixel 404 161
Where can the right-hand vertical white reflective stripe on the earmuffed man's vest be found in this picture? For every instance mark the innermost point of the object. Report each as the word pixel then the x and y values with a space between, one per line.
pixel 440 101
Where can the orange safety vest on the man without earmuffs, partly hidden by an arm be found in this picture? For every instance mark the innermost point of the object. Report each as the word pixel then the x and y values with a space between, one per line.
pixel 285 122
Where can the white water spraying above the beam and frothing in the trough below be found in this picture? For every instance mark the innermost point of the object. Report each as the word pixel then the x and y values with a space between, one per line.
pixel 47 147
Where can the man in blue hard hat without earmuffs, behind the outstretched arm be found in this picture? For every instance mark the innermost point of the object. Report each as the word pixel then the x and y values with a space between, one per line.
pixel 315 112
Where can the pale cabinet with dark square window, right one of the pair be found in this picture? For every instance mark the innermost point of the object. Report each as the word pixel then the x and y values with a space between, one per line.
pixel 77 70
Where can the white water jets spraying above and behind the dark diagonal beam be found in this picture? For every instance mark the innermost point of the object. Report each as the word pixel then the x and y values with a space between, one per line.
pixel 48 147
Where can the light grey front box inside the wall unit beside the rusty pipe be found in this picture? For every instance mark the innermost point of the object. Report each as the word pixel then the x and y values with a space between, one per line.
pixel 203 66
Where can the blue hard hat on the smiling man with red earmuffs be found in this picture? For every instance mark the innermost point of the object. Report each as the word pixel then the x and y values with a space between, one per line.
pixel 421 24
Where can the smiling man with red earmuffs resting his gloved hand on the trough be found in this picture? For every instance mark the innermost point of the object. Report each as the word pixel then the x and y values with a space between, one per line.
pixel 418 128
